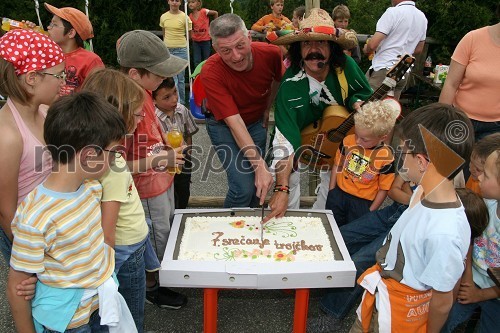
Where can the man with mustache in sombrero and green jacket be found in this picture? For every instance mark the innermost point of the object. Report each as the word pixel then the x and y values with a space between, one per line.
pixel 320 75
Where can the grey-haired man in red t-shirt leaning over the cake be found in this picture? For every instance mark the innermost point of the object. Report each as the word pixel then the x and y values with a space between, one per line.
pixel 240 81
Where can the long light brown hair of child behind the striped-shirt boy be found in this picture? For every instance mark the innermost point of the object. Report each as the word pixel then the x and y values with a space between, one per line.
pixel 119 90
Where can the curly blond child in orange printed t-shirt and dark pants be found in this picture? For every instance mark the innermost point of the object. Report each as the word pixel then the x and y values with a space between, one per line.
pixel 363 170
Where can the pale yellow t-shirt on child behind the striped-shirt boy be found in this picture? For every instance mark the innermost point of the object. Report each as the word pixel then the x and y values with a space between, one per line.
pixel 118 185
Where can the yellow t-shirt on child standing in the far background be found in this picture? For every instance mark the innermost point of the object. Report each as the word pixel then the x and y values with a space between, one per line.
pixel 174 26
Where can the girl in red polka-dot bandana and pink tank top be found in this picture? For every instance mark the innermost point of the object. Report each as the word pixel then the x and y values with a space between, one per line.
pixel 31 74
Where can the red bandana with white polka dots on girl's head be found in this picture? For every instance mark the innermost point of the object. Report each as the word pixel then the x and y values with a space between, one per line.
pixel 28 50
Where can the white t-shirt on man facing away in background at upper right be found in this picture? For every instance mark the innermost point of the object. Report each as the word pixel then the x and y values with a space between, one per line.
pixel 405 26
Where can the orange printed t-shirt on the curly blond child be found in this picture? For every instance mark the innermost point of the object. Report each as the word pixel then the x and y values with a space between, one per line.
pixel 364 171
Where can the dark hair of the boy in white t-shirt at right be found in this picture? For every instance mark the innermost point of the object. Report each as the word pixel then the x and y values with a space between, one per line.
pixel 448 124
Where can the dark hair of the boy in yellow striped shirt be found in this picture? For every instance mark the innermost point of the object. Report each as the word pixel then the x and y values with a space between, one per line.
pixel 81 120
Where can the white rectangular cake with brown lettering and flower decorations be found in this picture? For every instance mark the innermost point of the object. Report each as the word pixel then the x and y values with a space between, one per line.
pixel 237 238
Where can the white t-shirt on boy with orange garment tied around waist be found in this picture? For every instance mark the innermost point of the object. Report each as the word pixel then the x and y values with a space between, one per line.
pixel 428 244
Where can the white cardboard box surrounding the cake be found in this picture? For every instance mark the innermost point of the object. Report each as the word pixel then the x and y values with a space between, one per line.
pixel 340 272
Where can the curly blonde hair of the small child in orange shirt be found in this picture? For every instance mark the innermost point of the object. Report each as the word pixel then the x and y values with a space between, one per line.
pixel 377 116
